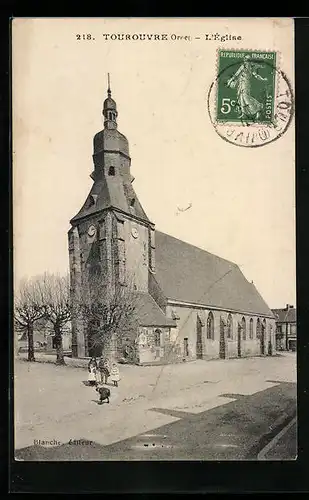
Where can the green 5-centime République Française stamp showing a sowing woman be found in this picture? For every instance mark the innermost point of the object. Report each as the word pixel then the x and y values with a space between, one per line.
pixel 246 87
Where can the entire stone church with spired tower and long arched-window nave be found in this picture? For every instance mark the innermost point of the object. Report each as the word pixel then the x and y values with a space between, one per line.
pixel 192 304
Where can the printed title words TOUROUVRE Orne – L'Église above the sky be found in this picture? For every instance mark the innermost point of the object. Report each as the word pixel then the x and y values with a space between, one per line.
pixel 173 36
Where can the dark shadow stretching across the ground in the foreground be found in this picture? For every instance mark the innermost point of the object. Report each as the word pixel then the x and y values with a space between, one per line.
pixel 237 430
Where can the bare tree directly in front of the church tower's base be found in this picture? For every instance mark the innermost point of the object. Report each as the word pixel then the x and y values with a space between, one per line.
pixel 109 314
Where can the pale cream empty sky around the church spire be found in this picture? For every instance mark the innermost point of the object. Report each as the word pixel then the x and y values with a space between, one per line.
pixel 243 199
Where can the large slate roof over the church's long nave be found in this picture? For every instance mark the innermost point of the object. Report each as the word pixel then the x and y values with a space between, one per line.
pixel 187 273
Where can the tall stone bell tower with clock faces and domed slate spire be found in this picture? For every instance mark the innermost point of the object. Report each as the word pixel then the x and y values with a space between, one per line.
pixel 111 233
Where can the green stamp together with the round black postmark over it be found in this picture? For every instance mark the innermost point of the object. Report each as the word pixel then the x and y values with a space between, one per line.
pixel 250 103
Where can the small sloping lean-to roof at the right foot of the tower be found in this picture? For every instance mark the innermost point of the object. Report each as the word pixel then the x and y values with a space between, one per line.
pixel 149 313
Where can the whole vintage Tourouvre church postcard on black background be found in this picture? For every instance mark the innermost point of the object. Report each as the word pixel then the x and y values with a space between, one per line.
pixel 154 239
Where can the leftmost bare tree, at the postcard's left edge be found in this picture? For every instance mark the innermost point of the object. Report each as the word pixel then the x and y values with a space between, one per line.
pixel 28 308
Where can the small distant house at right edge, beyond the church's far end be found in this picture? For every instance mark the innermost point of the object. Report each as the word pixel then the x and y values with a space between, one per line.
pixel 286 328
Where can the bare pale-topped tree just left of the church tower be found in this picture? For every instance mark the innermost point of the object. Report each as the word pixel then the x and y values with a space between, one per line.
pixel 55 295
